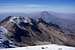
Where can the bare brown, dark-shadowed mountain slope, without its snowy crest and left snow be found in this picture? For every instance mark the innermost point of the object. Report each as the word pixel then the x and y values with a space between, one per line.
pixel 36 33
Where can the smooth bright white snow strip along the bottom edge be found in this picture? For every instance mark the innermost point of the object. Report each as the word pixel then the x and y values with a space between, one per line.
pixel 42 47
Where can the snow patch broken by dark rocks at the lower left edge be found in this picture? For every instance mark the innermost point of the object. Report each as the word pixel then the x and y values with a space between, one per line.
pixel 4 41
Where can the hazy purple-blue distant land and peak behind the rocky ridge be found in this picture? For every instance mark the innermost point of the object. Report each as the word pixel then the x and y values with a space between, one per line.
pixel 64 20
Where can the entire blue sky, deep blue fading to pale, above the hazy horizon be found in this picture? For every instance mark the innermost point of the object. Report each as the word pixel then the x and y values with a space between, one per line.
pixel 27 6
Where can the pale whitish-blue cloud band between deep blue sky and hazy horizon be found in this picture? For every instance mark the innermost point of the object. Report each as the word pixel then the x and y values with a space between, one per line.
pixel 29 8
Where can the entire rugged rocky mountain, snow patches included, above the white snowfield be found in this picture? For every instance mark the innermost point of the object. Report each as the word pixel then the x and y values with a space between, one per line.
pixel 26 31
